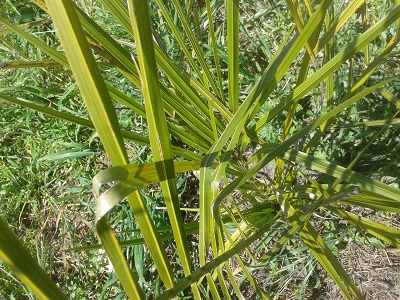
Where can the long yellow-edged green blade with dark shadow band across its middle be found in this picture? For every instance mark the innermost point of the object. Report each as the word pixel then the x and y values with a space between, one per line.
pixel 158 130
